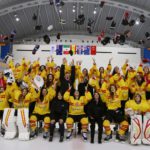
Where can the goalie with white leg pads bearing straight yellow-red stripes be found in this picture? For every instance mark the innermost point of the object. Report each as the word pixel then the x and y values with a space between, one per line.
pixel 21 101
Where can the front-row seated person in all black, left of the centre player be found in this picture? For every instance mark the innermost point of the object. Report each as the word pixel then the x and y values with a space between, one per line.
pixel 58 114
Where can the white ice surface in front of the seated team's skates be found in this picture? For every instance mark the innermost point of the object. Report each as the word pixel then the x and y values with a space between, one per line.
pixel 73 144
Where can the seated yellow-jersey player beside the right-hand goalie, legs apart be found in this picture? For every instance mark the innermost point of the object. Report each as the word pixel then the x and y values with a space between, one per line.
pixel 114 114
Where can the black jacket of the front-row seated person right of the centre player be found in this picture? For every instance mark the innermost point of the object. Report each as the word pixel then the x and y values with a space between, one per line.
pixel 96 110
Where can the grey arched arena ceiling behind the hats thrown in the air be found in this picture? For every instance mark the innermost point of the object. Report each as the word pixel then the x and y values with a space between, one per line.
pixel 51 15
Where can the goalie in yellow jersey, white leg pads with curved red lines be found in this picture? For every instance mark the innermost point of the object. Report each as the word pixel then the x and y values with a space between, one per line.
pixel 138 110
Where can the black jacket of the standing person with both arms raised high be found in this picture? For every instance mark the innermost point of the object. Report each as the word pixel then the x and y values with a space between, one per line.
pixel 65 83
